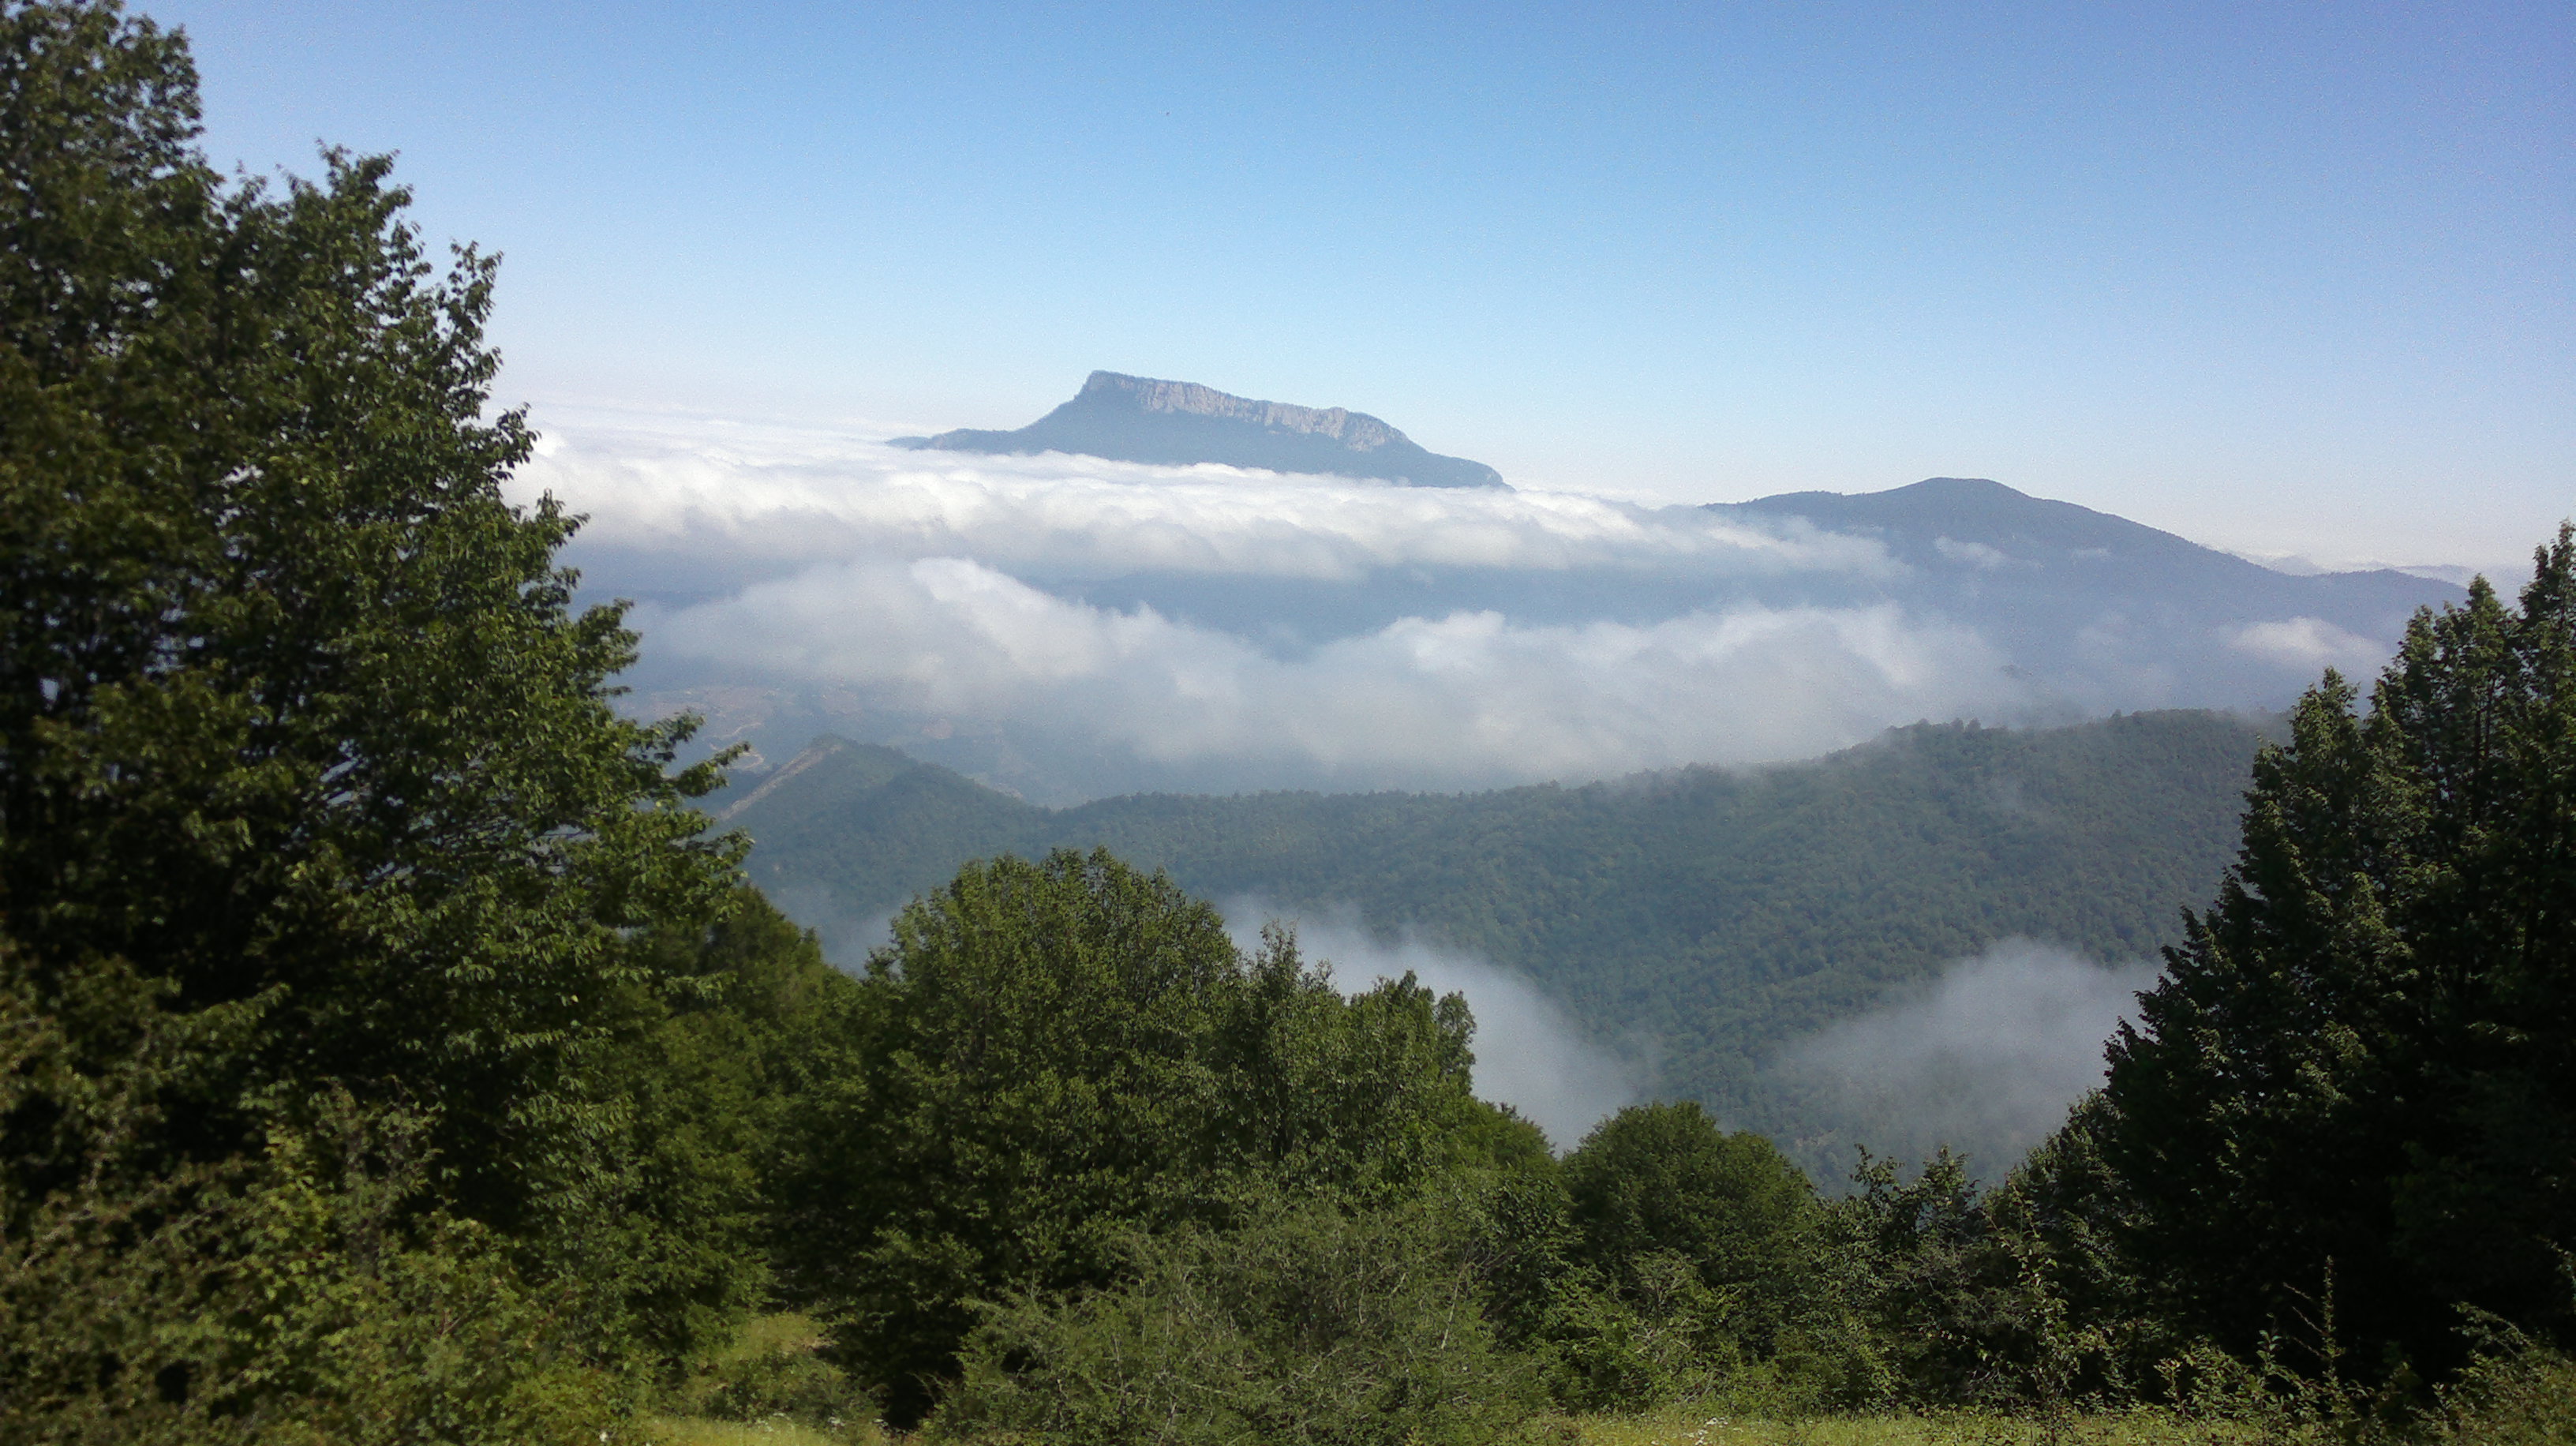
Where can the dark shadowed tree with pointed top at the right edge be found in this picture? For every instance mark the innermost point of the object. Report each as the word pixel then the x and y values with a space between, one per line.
pixel 2356 1086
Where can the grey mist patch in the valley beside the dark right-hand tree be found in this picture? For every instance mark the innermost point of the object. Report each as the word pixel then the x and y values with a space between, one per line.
pixel 1987 1058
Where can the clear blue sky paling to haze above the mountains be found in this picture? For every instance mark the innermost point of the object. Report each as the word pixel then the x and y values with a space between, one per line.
pixel 2276 277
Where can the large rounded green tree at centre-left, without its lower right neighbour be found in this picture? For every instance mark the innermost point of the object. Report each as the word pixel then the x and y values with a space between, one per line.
pixel 1027 1076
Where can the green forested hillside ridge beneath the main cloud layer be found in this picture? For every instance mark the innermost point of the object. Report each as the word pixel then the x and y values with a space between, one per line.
pixel 1696 916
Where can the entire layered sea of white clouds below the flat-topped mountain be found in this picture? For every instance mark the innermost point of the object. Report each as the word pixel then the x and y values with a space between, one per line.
pixel 1075 628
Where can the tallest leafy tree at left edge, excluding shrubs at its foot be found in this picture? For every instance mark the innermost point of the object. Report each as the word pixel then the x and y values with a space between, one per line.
pixel 295 708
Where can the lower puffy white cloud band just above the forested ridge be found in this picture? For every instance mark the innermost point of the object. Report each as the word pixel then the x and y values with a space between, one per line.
pixel 1446 702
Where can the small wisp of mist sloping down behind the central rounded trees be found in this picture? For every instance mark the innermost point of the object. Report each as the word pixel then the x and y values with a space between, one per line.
pixel 1529 1050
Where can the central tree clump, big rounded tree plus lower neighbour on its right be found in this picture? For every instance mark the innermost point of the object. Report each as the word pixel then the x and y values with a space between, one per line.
pixel 1055 1056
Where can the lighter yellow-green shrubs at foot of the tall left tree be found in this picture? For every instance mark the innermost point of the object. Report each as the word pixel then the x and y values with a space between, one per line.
pixel 279 1298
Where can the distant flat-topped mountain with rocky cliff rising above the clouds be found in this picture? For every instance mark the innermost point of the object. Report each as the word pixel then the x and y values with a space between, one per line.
pixel 1179 424
